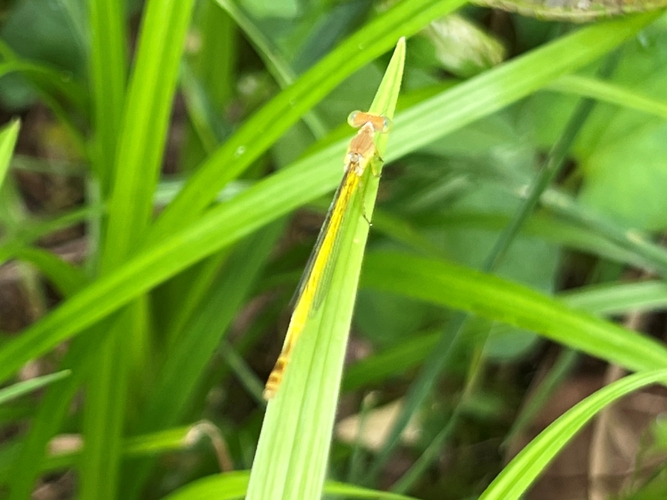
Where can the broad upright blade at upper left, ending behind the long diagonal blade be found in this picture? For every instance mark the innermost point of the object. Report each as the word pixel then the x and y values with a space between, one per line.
pixel 143 135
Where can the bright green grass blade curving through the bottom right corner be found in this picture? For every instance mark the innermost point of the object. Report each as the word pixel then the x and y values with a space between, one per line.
pixel 515 479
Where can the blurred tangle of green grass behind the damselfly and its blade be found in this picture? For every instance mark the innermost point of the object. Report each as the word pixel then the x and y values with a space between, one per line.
pixel 170 170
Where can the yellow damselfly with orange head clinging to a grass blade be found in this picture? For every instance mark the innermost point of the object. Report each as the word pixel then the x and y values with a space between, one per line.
pixel 360 153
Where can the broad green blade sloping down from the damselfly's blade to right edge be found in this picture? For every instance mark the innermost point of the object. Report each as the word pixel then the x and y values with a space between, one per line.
pixel 497 299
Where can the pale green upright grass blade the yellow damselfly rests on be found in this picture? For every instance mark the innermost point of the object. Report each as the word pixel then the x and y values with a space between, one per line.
pixel 294 444
